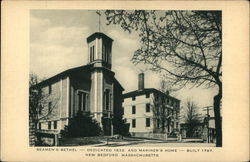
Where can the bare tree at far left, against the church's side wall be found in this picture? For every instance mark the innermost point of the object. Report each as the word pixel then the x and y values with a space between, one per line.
pixel 42 106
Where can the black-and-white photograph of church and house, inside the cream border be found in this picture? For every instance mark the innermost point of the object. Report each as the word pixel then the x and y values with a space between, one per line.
pixel 114 78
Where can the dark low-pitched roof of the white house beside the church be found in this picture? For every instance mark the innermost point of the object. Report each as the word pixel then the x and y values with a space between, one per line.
pixel 146 91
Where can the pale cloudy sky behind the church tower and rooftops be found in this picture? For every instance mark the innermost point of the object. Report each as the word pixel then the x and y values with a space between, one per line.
pixel 58 42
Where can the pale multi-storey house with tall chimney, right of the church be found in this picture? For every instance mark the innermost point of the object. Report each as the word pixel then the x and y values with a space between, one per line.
pixel 149 110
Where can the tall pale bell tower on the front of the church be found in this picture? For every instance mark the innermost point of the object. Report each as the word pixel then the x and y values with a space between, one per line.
pixel 102 86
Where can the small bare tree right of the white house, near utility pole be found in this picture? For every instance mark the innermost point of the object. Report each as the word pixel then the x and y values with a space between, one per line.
pixel 192 117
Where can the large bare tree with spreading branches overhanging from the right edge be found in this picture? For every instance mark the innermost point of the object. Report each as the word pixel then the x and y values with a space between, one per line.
pixel 185 46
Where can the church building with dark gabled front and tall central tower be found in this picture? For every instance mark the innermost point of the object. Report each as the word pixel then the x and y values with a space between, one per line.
pixel 90 88
